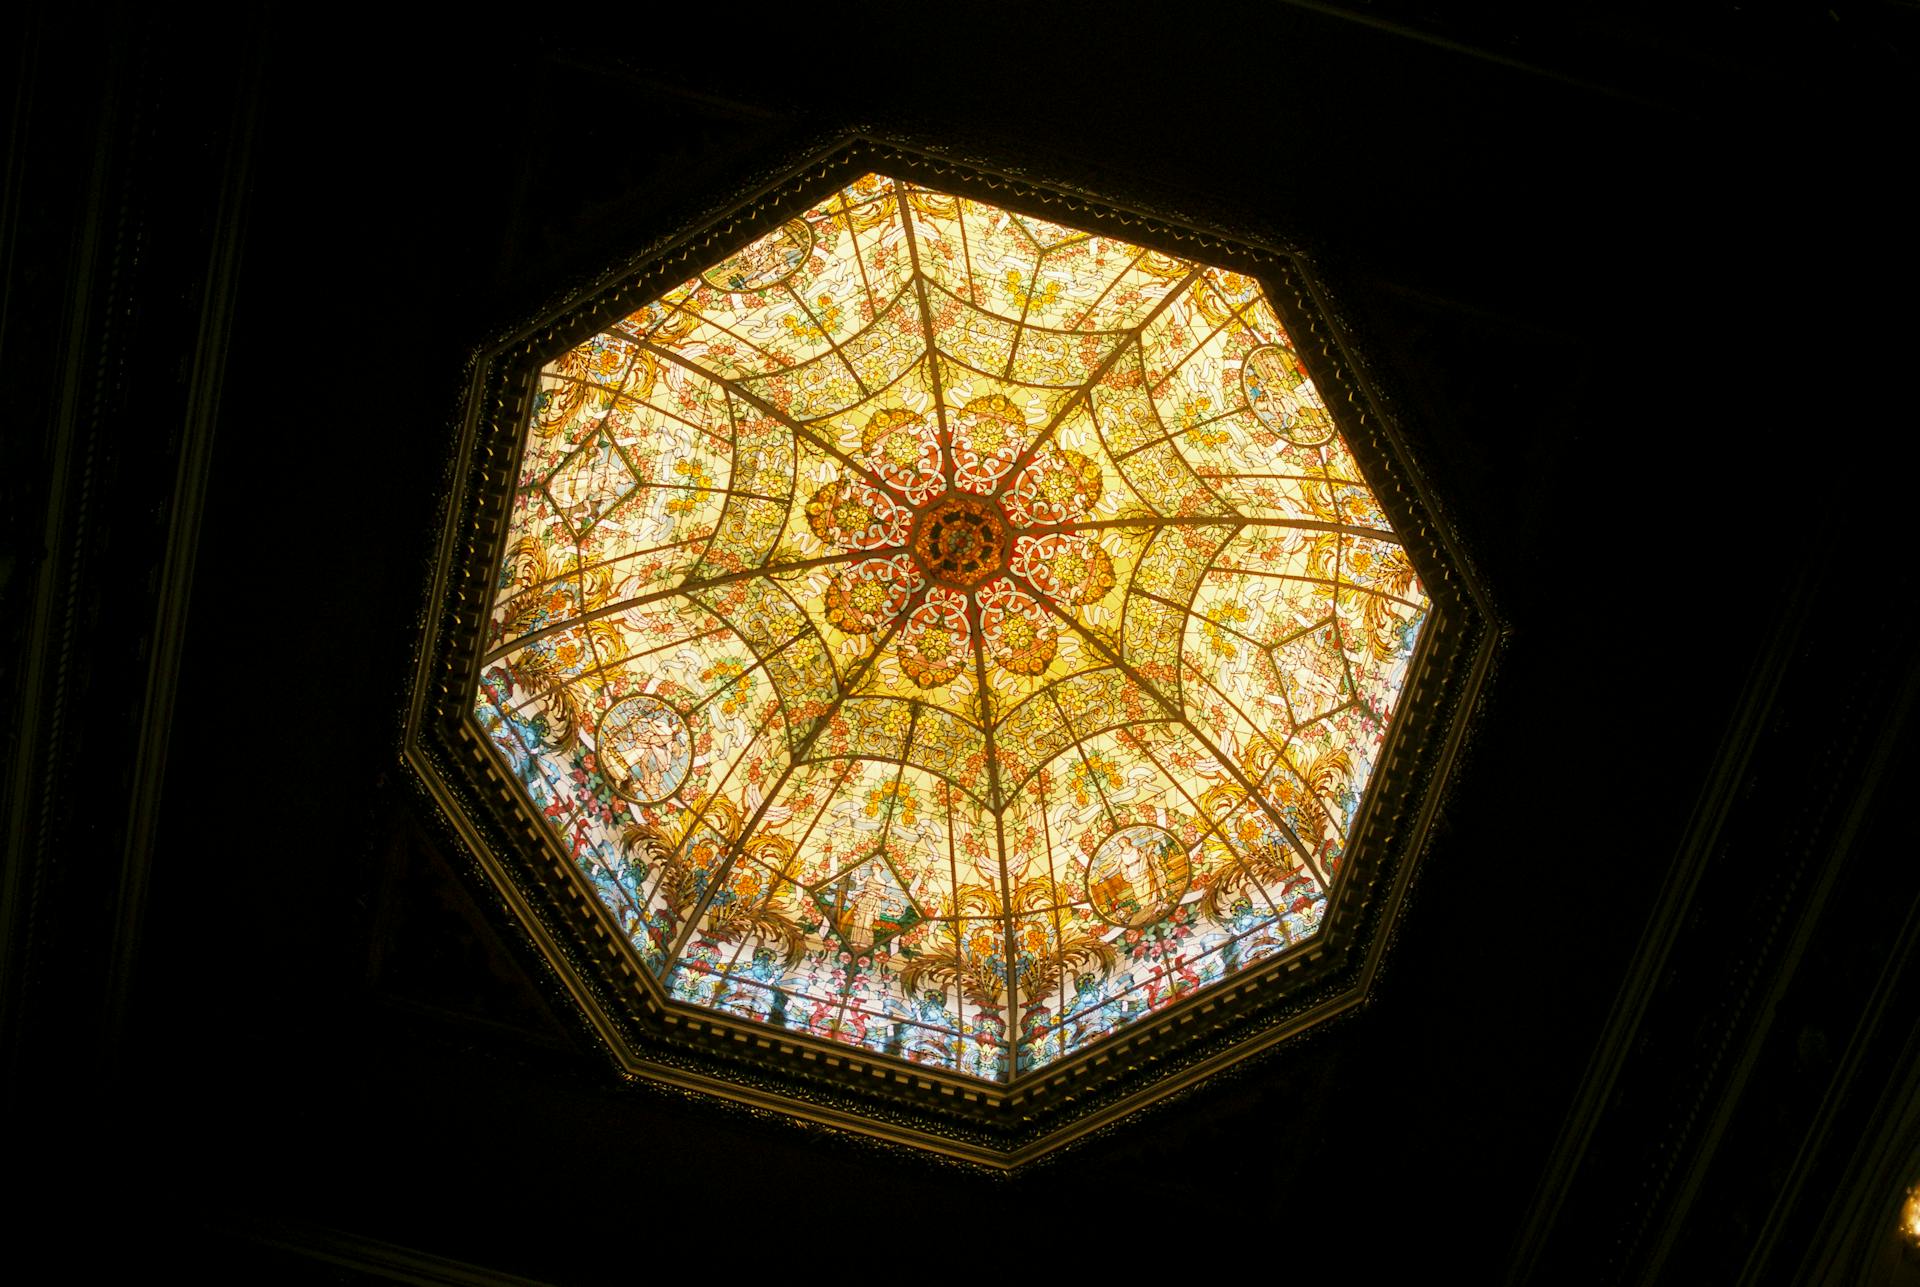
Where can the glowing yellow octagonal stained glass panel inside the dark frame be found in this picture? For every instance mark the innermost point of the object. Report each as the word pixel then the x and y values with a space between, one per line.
pixel 946 633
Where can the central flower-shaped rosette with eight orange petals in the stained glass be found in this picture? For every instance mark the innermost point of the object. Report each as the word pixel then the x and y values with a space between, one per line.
pixel 969 533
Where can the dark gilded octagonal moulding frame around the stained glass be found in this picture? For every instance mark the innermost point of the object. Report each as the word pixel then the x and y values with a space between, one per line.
pixel 836 1086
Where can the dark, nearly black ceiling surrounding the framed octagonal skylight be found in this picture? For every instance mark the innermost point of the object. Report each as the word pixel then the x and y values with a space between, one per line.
pixel 1641 295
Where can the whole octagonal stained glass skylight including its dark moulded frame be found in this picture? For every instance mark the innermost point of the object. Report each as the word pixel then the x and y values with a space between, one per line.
pixel 942 671
